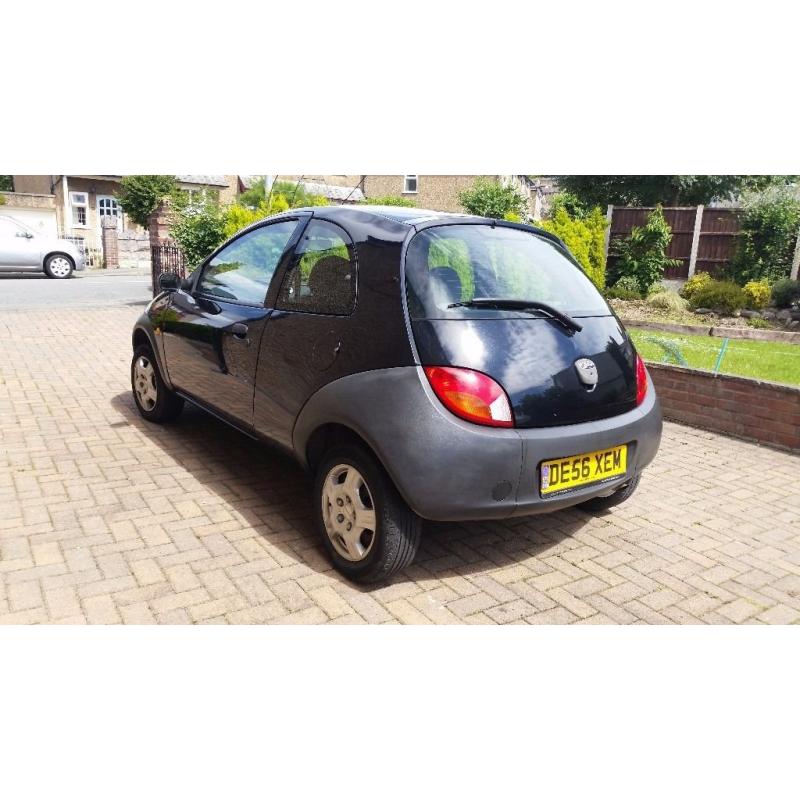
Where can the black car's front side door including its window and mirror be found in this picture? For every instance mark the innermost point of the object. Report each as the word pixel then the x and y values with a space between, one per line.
pixel 212 333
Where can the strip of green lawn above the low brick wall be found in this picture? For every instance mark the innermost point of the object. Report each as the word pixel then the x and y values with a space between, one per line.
pixel 770 361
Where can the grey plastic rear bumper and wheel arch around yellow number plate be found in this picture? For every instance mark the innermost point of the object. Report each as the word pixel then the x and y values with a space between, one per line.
pixel 450 470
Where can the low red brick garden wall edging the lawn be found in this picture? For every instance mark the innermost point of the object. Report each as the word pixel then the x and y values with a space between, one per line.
pixel 758 410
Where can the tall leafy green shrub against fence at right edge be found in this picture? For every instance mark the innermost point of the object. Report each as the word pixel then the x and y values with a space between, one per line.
pixel 768 235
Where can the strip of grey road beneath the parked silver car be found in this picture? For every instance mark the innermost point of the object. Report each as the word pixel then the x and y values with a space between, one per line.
pixel 84 290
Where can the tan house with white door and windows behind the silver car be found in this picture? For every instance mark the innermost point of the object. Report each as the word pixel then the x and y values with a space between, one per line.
pixel 79 202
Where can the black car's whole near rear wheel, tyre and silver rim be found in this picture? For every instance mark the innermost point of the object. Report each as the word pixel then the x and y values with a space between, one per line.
pixel 352 488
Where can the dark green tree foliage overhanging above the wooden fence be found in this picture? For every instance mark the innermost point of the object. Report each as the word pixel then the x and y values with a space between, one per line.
pixel 673 190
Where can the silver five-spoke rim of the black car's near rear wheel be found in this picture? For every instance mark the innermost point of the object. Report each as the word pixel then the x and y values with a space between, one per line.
pixel 348 512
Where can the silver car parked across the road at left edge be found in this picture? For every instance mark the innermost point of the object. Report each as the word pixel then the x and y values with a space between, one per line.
pixel 24 250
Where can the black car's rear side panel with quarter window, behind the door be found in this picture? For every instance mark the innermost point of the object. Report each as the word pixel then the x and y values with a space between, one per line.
pixel 310 338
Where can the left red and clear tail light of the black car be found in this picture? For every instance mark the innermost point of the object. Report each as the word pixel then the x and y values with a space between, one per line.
pixel 471 395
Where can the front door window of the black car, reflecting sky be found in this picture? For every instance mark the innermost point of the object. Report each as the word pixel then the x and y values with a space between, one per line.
pixel 242 271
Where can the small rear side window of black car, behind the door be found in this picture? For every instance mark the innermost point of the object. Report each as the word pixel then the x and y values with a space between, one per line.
pixel 323 276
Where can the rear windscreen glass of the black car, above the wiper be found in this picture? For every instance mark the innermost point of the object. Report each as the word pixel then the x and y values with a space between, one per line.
pixel 456 263
